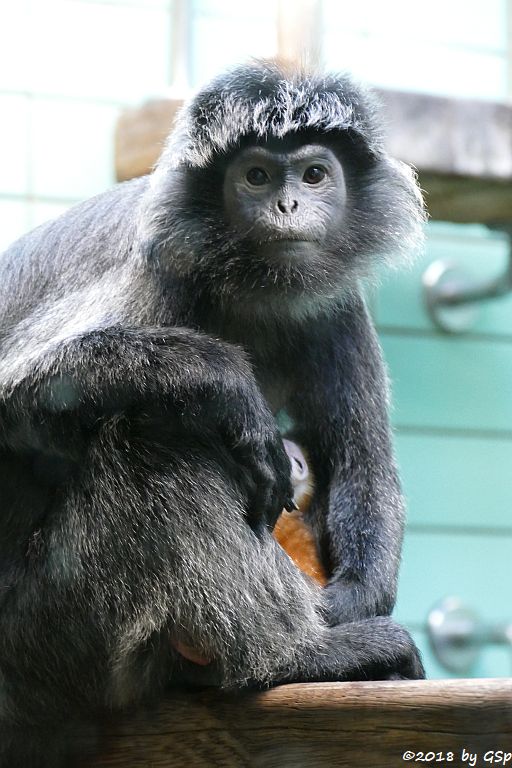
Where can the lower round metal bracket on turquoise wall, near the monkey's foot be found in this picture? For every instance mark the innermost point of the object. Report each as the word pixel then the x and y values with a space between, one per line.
pixel 457 635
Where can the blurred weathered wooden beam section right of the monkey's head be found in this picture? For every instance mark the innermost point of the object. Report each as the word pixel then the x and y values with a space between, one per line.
pixel 462 149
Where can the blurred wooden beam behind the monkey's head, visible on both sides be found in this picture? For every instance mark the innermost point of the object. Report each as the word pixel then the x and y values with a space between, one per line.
pixel 462 150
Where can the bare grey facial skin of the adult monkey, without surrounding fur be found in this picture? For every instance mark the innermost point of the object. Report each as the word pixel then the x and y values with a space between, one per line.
pixel 285 202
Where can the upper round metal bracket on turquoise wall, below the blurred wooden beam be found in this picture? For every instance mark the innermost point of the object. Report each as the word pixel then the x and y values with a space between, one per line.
pixel 451 295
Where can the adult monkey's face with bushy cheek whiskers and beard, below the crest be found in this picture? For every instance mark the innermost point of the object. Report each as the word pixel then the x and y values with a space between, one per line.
pixel 290 224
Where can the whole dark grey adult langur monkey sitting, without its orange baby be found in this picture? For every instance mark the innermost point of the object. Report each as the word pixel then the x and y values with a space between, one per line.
pixel 151 340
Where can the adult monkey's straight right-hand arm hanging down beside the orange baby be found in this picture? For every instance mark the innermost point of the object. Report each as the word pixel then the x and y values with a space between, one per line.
pixel 340 415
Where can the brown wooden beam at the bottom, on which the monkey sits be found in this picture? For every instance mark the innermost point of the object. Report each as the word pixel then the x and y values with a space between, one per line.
pixel 315 725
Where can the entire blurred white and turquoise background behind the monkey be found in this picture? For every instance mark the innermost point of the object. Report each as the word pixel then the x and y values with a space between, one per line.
pixel 70 68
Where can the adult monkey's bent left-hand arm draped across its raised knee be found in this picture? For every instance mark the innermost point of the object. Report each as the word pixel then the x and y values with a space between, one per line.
pixel 52 406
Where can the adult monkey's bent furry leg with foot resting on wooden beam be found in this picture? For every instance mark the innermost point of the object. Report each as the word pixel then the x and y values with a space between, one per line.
pixel 146 543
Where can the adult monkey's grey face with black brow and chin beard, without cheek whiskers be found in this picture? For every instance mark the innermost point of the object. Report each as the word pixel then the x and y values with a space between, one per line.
pixel 285 214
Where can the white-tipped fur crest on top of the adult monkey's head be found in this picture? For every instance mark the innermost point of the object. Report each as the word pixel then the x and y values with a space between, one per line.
pixel 267 100
